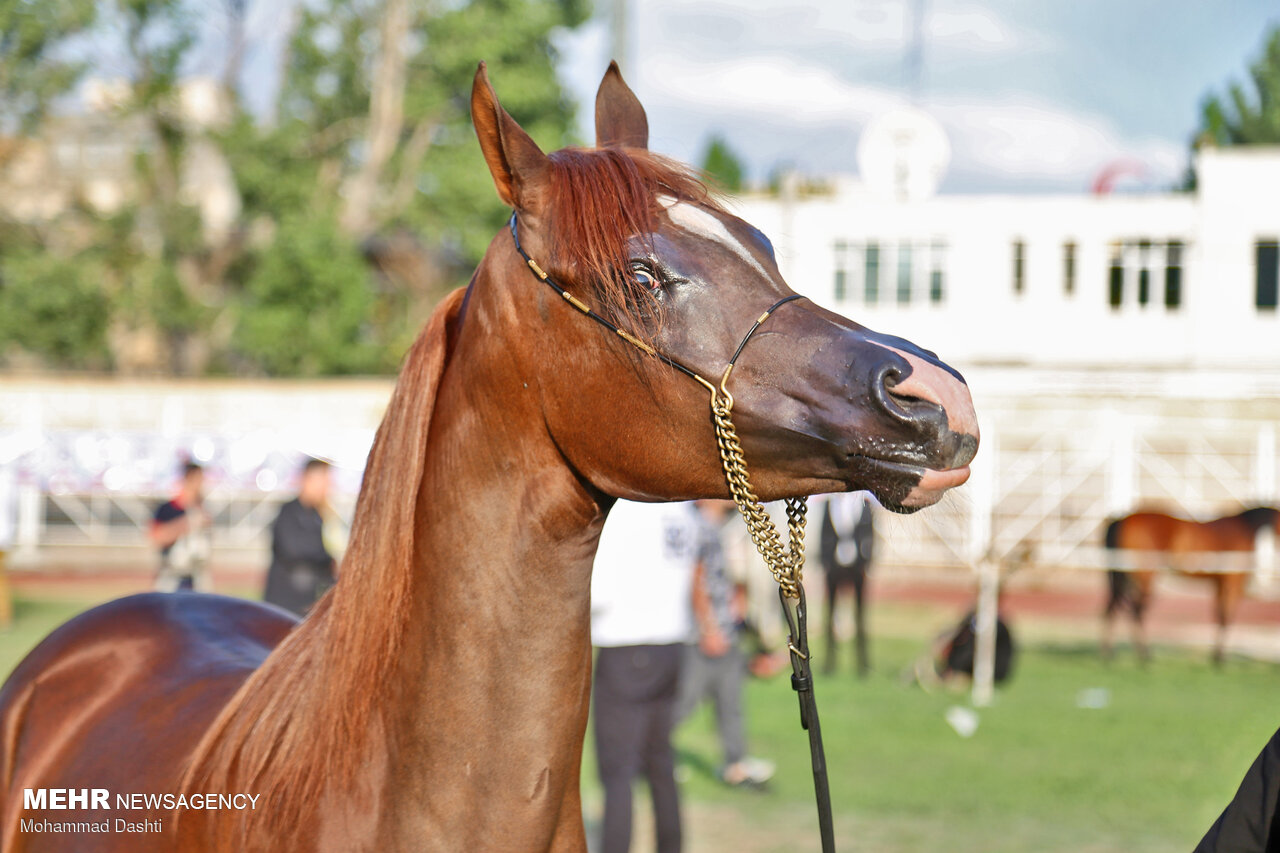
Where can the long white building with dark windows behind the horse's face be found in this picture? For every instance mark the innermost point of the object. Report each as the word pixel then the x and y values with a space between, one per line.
pixel 1171 281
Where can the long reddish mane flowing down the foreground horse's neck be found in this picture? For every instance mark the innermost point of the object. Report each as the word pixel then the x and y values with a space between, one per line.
pixel 301 719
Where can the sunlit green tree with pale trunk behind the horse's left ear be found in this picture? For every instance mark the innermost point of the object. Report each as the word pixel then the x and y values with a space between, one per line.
pixel 387 108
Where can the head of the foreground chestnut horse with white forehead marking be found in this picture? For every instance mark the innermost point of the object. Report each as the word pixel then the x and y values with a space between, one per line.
pixel 822 404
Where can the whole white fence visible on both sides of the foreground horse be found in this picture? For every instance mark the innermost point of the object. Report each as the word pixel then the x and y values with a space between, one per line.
pixel 86 463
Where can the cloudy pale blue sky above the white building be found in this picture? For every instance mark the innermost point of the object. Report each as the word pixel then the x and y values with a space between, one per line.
pixel 1035 95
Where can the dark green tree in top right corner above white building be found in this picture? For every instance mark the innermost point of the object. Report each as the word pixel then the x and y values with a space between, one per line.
pixel 1245 117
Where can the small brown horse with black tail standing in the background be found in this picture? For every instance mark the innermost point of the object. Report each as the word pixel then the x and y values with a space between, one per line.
pixel 1183 546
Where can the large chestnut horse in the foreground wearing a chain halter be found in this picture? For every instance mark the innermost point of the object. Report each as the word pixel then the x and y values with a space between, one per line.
pixel 437 699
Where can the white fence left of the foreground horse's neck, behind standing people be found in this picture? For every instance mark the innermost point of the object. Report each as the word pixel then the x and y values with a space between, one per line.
pixel 85 464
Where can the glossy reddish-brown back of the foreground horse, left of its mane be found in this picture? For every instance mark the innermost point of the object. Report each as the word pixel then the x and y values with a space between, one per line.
pixel 118 699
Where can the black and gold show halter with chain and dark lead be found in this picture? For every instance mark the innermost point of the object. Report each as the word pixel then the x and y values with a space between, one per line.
pixel 787 564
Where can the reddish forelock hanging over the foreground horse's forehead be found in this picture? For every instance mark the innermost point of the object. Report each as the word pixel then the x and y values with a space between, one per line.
pixel 598 200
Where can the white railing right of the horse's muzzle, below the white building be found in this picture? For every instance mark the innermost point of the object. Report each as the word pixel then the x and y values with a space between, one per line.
pixel 1048 482
